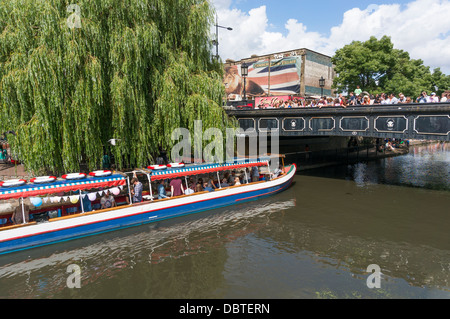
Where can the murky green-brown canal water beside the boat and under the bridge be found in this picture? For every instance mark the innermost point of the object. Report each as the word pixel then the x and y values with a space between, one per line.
pixel 315 240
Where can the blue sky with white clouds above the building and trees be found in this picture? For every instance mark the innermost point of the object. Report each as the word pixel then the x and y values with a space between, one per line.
pixel 420 27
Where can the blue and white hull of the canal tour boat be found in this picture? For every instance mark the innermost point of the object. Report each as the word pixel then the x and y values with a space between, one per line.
pixel 63 229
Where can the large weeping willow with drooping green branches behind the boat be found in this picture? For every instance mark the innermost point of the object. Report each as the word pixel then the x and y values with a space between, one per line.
pixel 74 77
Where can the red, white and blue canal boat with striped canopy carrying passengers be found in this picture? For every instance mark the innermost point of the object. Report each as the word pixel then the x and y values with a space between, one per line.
pixel 67 193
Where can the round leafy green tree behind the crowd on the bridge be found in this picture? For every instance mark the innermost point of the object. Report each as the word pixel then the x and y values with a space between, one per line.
pixel 377 67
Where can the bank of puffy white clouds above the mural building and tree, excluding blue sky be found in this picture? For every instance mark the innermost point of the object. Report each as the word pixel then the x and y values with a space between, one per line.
pixel 421 28
